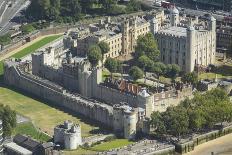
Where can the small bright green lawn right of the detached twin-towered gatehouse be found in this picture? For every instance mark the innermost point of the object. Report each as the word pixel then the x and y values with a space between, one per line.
pixel 111 145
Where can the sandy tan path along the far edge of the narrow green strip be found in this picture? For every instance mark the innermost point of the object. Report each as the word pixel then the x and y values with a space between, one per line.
pixel 9 54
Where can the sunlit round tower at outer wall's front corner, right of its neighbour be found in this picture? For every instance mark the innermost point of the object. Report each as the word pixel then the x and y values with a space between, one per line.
pixel 129 124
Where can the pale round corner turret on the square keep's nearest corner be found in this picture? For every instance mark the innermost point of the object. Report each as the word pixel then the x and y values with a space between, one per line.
pixel 190 49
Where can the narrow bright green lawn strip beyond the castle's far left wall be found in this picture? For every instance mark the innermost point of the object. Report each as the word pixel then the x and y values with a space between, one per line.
pixel 31 49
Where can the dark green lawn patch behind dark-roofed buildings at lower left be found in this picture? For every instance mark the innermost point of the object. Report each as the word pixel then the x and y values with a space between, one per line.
pixel 30 130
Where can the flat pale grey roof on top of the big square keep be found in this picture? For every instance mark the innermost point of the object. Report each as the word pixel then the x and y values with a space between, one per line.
pixel 174 30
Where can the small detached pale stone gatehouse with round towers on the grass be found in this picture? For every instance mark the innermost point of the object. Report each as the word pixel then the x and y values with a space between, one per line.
pixel 68 134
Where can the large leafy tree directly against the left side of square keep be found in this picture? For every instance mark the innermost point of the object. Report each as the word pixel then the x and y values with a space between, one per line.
pixel 147 45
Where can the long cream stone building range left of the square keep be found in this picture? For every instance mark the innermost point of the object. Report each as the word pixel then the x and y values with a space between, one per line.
pixel 121 36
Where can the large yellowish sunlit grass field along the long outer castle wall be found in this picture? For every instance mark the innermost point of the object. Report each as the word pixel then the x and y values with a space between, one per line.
pixel 43 116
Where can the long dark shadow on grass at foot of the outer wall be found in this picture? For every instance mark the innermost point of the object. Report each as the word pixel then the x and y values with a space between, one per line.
pixel 102 129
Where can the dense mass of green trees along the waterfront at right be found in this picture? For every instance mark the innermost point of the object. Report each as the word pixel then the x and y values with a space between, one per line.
pixel 200 113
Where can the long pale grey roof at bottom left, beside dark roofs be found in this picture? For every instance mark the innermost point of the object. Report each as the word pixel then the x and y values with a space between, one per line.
pixel 18 149
